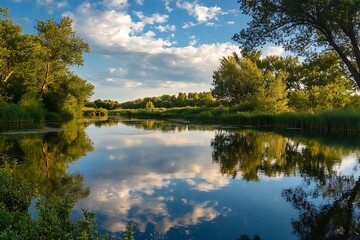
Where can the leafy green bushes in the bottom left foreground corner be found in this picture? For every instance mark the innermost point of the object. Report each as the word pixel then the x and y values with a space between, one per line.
pixel 53 221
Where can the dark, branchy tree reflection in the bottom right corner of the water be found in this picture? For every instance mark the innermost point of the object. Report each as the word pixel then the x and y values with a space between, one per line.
pixel 330 210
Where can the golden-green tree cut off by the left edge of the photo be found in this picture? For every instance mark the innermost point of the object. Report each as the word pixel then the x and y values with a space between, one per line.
pixel 18 60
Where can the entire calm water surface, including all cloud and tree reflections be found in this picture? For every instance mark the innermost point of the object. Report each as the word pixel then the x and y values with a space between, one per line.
pixel 178 181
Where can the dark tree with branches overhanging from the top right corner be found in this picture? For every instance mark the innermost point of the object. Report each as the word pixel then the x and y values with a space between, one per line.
pixel 304 26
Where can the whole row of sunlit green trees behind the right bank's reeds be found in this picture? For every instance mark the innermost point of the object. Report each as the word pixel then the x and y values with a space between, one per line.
pixel 276 84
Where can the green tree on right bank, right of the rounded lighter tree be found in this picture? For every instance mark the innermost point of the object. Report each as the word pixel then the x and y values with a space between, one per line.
pixel 323 85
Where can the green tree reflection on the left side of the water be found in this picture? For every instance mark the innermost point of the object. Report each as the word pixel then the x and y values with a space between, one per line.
pixel 44 159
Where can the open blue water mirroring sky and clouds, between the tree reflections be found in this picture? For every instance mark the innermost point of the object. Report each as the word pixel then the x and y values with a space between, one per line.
pixel 167 183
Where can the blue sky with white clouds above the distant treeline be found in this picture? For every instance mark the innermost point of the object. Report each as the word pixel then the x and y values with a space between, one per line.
pixel 144 48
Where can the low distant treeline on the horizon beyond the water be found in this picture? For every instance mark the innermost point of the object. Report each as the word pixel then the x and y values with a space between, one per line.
pixel 201 99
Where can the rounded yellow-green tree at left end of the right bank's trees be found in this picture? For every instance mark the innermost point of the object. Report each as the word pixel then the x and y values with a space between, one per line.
pixel 247 81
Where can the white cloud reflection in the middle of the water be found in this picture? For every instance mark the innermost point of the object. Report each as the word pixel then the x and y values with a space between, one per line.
pixel 131 193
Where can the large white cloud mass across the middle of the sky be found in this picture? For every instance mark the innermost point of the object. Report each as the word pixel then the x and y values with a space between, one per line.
pixel 130 43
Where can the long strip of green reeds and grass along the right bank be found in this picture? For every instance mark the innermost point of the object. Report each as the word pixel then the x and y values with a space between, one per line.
pixel 330 121
